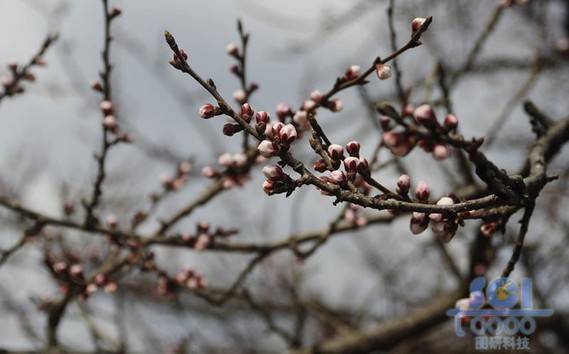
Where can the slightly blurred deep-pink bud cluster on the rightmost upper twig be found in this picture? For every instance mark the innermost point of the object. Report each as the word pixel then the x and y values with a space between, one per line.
pixel 400 141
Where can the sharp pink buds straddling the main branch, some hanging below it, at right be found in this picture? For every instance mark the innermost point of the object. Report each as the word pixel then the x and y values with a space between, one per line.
pixel 442 226
